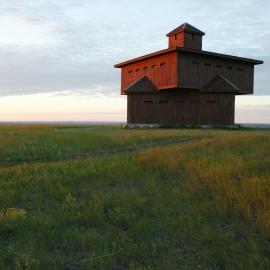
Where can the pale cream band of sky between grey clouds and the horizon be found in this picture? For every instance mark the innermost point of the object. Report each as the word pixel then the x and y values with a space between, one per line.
pixel 65 106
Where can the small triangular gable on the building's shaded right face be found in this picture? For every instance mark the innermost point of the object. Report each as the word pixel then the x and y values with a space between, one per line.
pixel 220 84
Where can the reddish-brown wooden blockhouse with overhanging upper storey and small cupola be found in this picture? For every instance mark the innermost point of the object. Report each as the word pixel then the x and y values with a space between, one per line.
pixel 184 84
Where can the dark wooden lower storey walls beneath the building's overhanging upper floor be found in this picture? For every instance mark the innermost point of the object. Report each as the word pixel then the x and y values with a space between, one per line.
pixel 185 107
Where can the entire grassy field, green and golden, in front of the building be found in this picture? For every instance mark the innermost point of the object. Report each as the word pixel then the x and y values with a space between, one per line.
pixel 85 197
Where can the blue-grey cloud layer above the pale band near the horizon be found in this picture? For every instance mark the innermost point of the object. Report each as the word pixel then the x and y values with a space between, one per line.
pixel 68 45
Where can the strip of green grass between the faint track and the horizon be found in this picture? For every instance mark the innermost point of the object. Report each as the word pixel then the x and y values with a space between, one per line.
pixel 20 144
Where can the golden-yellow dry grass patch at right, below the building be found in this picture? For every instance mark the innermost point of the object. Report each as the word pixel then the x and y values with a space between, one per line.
pixel 235 170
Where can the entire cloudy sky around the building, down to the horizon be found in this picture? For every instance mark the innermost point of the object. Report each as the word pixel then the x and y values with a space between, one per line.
pixel 57 56
